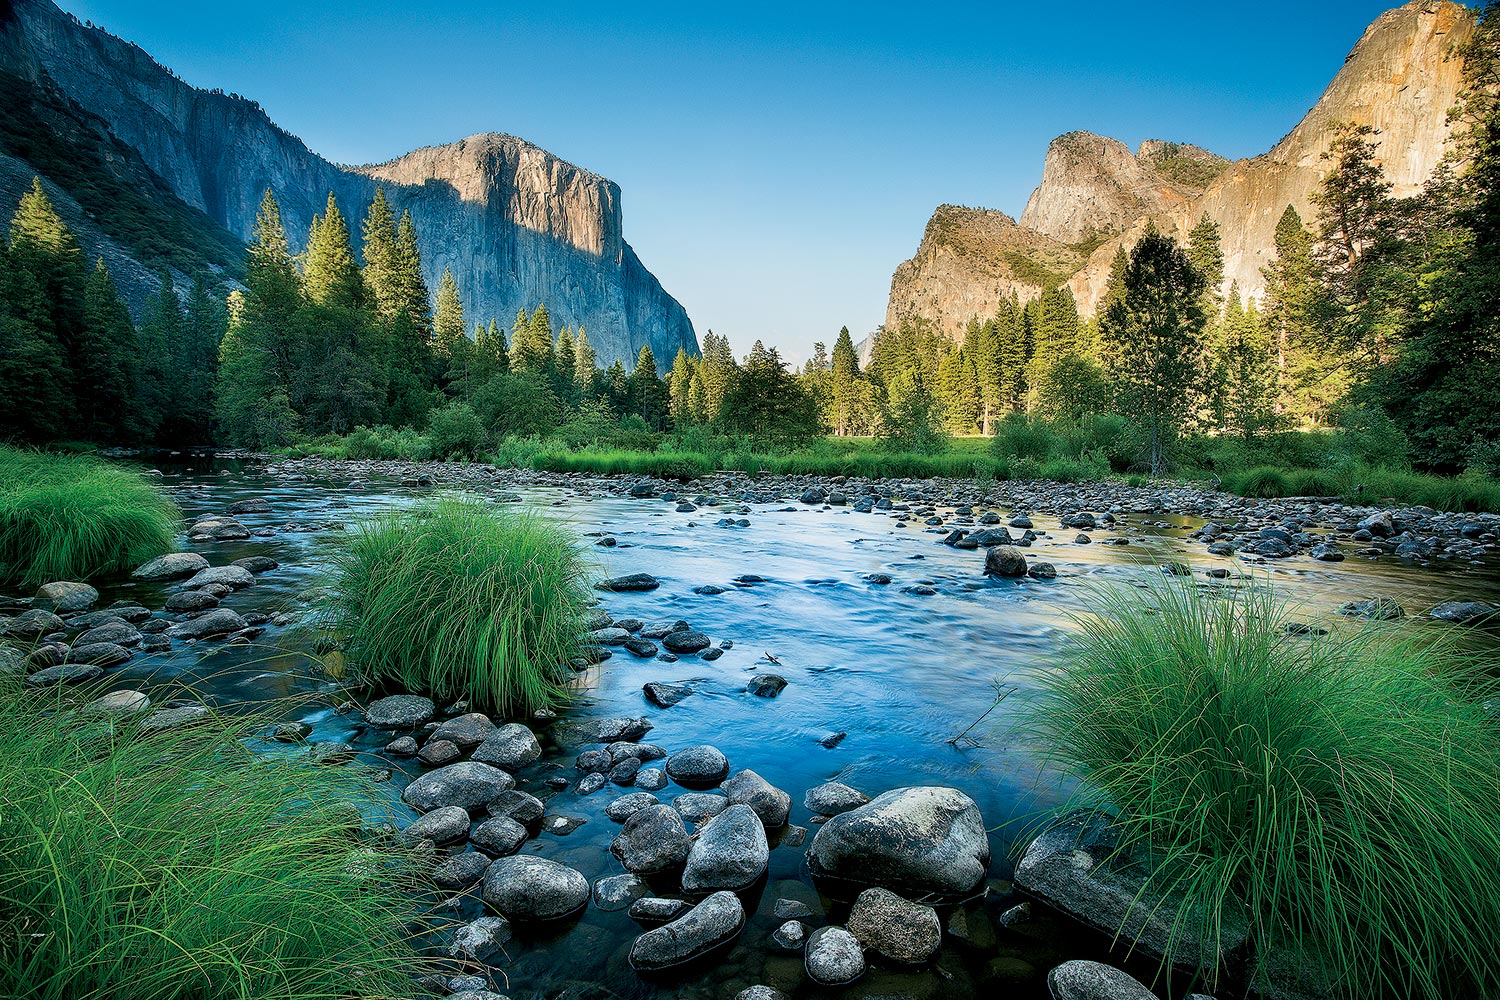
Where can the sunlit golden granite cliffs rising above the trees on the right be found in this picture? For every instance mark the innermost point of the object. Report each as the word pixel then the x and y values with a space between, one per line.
pixel 1402 79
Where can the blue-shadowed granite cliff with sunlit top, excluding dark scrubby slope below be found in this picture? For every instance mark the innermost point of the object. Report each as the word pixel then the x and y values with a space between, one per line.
pixel 518 226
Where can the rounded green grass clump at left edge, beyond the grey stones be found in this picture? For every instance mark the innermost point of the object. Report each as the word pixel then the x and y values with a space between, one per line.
pixel 70 518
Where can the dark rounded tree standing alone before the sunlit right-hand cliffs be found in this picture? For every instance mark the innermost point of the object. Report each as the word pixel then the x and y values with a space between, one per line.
pixel 1156 332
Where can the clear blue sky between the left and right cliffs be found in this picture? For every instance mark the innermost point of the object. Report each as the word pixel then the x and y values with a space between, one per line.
pixel 776 161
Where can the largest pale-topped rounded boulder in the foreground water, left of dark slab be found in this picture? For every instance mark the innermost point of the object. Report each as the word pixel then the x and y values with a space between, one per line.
pixel 925 840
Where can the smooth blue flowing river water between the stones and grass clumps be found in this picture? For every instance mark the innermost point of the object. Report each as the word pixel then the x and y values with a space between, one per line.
pixel 902 674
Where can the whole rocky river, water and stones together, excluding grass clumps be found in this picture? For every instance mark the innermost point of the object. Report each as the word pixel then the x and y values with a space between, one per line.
pixel 782 672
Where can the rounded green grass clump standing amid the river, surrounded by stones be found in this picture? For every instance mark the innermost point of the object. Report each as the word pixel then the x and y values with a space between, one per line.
pixel 461 600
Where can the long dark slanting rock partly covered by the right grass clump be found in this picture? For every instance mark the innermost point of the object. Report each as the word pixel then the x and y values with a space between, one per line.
pixel 1075 869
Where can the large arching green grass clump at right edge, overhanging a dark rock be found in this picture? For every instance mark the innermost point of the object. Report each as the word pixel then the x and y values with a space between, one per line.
pixel 1342 788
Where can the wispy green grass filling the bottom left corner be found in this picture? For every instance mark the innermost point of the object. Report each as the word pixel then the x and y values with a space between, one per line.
pixel 179 866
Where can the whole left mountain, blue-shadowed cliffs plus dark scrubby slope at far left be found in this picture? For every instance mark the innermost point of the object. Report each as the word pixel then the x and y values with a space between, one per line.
pixel 155 173
